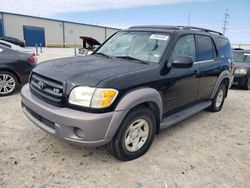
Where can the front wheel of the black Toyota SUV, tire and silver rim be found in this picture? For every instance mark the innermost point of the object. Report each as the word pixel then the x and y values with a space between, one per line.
pixel 120 145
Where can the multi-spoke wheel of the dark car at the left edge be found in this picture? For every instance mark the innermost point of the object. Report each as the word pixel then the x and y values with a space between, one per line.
pixel 8 83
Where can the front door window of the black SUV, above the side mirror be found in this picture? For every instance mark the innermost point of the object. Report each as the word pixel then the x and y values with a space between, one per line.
pixel 185 46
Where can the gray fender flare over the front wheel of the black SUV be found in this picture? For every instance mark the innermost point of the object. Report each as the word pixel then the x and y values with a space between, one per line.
pixel 129 101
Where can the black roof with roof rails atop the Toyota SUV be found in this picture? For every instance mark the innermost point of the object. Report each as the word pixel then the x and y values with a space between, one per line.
pixel 173 28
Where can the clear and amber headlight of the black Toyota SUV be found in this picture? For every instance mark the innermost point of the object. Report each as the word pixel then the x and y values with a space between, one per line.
pixel 92 97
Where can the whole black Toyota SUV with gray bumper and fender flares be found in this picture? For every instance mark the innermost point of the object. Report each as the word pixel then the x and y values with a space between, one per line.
pixel 139 81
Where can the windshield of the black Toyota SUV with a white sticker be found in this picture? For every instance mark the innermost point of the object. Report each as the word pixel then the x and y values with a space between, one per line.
pixel 142 46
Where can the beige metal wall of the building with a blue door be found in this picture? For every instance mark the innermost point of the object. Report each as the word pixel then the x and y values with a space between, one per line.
pixel 57 32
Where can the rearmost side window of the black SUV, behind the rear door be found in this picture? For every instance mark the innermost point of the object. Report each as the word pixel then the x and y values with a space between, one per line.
pixel 224 47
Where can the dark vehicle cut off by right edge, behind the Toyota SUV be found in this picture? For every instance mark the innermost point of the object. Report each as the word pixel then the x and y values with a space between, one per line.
pixel 242 68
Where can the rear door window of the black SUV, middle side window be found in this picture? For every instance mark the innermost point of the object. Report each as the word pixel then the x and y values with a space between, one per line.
pixel 206 49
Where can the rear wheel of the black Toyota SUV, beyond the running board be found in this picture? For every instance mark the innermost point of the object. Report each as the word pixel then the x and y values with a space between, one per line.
pixel 218 100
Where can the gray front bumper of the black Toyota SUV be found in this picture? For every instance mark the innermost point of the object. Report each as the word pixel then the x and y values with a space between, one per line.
pixel 98 129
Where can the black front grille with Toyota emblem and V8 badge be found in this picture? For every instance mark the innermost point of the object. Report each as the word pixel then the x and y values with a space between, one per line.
pixel 47 89
